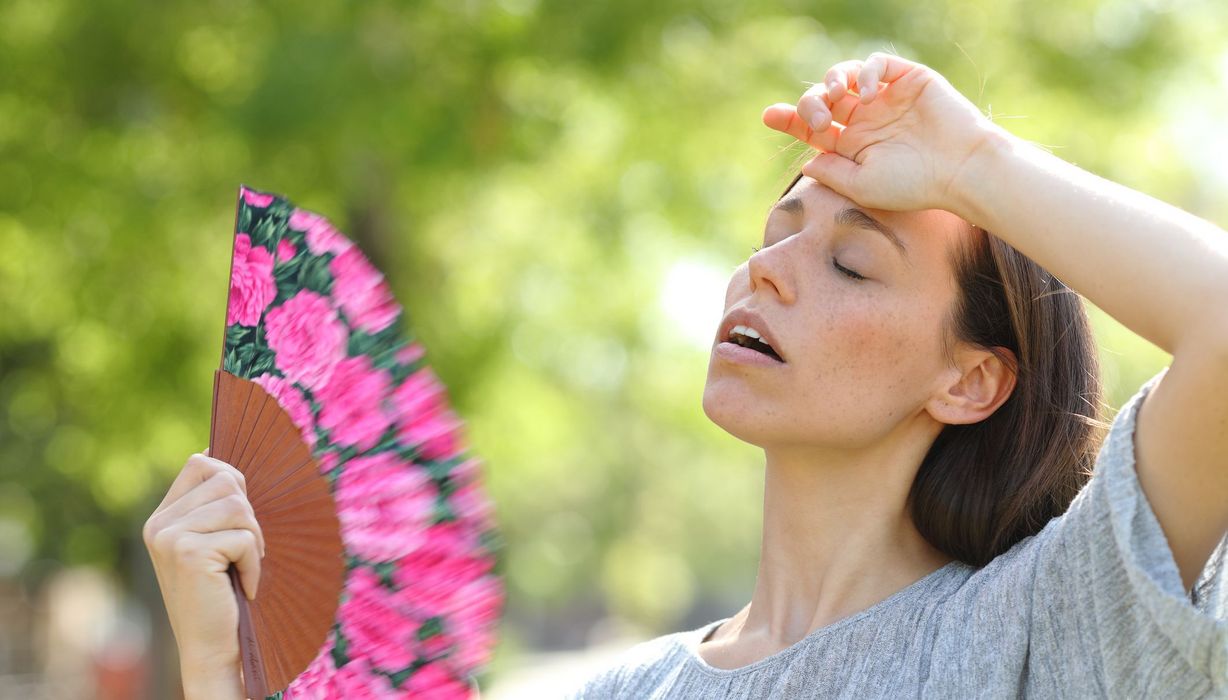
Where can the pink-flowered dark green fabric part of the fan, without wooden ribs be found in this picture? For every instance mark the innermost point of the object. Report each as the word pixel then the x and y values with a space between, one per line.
pixel 315 324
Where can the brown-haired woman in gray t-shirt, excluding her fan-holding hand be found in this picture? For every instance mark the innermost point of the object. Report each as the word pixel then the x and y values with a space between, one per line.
pixel 927 396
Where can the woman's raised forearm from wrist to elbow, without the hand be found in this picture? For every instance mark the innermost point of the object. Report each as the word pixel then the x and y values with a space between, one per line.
pixel 1161 272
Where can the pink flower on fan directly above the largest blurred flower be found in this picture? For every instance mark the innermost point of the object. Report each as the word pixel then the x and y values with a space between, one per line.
pixel 352 403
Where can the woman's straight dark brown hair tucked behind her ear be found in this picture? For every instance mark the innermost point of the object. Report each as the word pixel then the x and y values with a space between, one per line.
pixel 984 487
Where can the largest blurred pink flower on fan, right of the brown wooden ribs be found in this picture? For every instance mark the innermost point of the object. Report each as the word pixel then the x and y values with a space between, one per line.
pixel 385 507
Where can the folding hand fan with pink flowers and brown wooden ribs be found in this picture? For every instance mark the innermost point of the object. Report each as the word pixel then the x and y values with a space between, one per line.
pixel 379 573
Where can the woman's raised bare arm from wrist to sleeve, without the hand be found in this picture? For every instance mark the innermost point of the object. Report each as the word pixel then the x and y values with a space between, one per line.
pixel 1165 276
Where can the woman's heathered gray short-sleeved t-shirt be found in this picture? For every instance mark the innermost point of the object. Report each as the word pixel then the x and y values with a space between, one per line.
pixel 1090 607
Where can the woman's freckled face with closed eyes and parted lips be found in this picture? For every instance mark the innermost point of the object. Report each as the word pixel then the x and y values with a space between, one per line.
pixel 860 357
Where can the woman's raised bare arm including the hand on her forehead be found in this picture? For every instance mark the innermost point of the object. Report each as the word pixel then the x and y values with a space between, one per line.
pixel 908 141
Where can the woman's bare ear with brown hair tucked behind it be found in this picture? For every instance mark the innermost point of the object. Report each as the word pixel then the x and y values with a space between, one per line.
pixel 982 384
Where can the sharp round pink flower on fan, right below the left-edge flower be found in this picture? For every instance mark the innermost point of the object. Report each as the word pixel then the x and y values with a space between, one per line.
pixel 308 337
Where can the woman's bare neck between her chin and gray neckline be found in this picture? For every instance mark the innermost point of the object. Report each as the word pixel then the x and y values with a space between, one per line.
pixel 837 537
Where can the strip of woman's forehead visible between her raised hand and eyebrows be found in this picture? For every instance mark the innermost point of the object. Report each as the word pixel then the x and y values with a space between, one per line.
pixel 930 235
